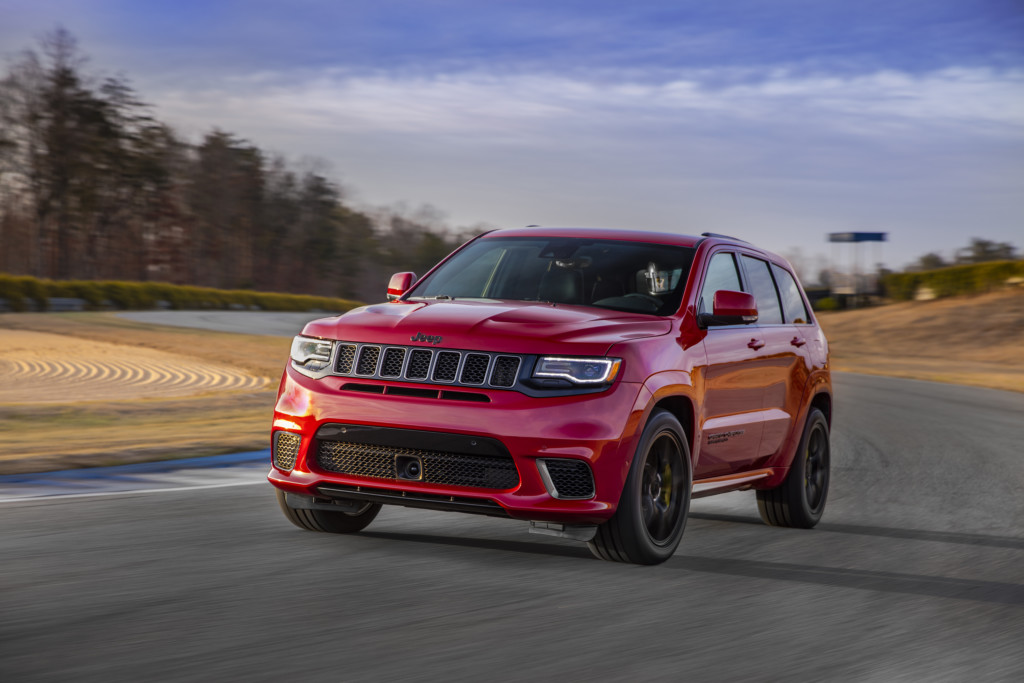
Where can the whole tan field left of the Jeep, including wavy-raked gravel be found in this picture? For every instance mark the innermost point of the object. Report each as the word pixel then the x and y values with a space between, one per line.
pixel 55 415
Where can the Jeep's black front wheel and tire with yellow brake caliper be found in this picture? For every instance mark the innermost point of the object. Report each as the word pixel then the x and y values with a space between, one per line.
pixel 652 516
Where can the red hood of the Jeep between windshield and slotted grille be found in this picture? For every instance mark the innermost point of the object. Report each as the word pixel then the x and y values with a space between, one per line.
pixel 491 326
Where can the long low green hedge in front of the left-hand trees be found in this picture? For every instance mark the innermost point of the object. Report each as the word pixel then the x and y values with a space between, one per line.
pixel 22 292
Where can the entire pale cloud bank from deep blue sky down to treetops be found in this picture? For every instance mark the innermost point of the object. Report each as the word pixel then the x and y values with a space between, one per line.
pixel 778 157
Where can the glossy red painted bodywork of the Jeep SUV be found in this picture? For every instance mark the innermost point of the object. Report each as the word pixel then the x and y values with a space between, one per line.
pixel 742 392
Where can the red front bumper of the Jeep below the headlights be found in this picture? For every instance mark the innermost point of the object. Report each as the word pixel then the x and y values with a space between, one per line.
pixel 601 430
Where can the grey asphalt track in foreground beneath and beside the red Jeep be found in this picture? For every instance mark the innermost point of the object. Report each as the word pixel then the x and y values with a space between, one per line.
pixel 917 573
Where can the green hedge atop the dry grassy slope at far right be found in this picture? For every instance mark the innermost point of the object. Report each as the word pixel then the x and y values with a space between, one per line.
pixel 955 281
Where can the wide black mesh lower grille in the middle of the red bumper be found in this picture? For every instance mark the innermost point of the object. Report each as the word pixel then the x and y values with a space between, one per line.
pixel 448 469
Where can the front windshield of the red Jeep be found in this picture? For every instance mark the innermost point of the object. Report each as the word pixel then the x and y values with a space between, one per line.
pixel 623 276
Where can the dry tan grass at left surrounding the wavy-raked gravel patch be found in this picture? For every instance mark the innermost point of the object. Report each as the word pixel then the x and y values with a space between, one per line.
pixel 106 433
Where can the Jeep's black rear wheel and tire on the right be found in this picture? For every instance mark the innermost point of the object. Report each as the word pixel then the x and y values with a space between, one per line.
pixel 800 500
